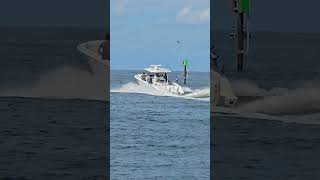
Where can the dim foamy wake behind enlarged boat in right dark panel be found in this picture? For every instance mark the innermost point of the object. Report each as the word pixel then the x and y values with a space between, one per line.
pixel 299 105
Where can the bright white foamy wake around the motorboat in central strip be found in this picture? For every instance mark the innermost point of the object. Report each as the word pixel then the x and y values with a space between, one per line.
pixel 197 94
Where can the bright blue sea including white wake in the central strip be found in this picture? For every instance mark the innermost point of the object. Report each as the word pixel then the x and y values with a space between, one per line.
pixel 158 136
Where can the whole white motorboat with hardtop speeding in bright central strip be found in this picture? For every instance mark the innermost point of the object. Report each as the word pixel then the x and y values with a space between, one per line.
pixel 157 77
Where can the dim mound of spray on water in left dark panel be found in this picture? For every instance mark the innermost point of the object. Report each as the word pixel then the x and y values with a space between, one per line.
pixel 62 83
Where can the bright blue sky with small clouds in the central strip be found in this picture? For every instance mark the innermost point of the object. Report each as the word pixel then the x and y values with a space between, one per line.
pixel 146 32
